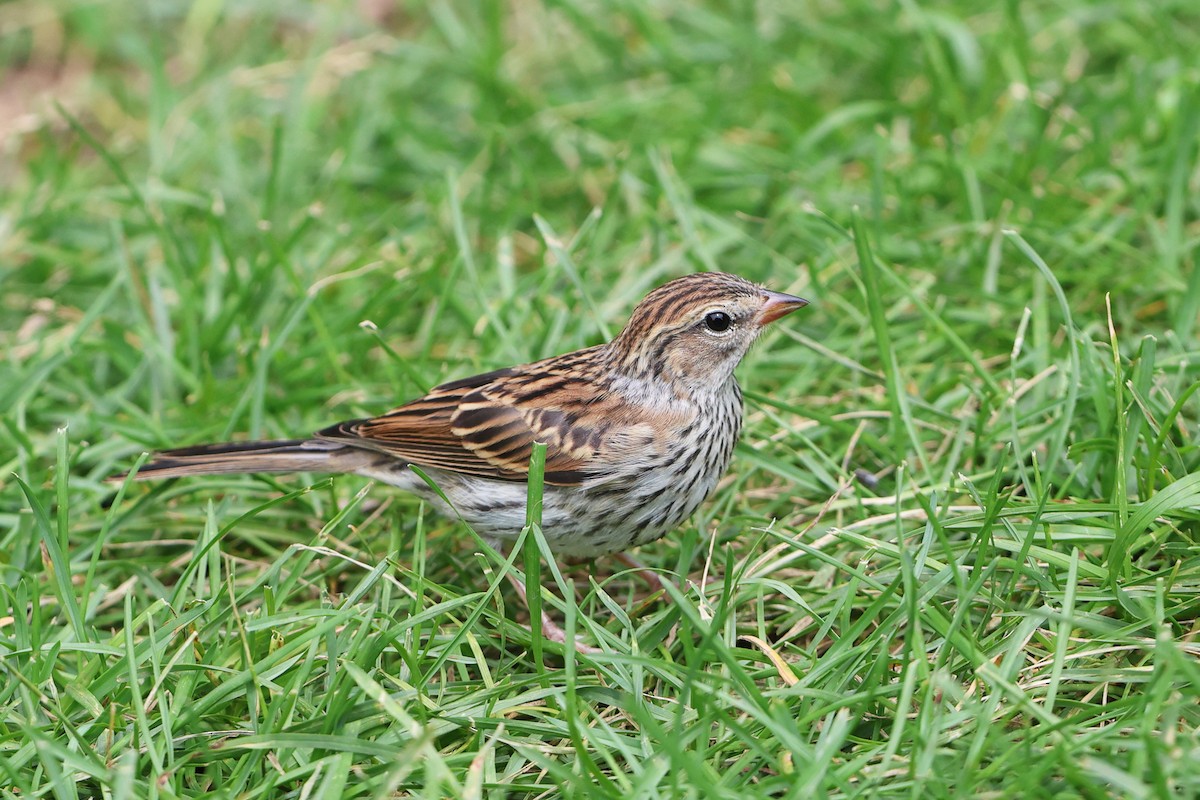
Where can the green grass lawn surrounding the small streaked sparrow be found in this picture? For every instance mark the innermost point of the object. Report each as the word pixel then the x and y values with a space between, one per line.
pixel 957 554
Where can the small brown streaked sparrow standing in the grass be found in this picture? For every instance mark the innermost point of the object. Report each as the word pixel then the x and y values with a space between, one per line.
pixel 638 431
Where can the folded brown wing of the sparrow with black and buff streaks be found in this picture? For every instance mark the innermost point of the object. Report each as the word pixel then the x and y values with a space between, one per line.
pixel 487 425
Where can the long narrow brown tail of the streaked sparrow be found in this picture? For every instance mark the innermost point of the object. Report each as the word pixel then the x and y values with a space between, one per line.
pixel 285 456
